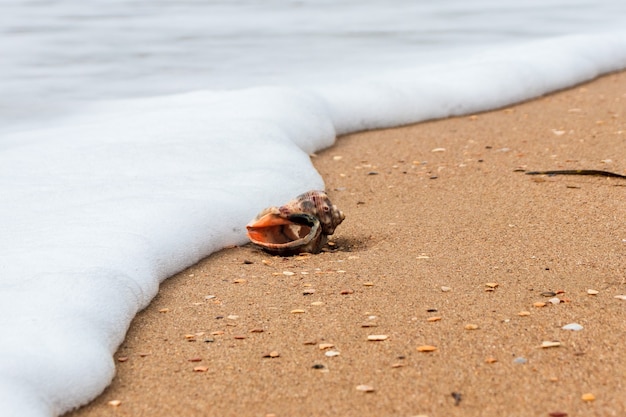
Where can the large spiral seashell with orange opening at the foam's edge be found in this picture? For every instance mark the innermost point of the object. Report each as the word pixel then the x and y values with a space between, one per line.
pixel 301 225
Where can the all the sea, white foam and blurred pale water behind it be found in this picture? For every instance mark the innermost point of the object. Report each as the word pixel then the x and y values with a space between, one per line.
pixel 137 137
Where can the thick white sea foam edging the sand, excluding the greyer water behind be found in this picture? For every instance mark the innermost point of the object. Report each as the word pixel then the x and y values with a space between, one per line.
pixel 103 204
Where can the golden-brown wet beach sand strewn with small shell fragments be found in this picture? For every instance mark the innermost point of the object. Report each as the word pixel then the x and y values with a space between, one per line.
pixel 429 206
